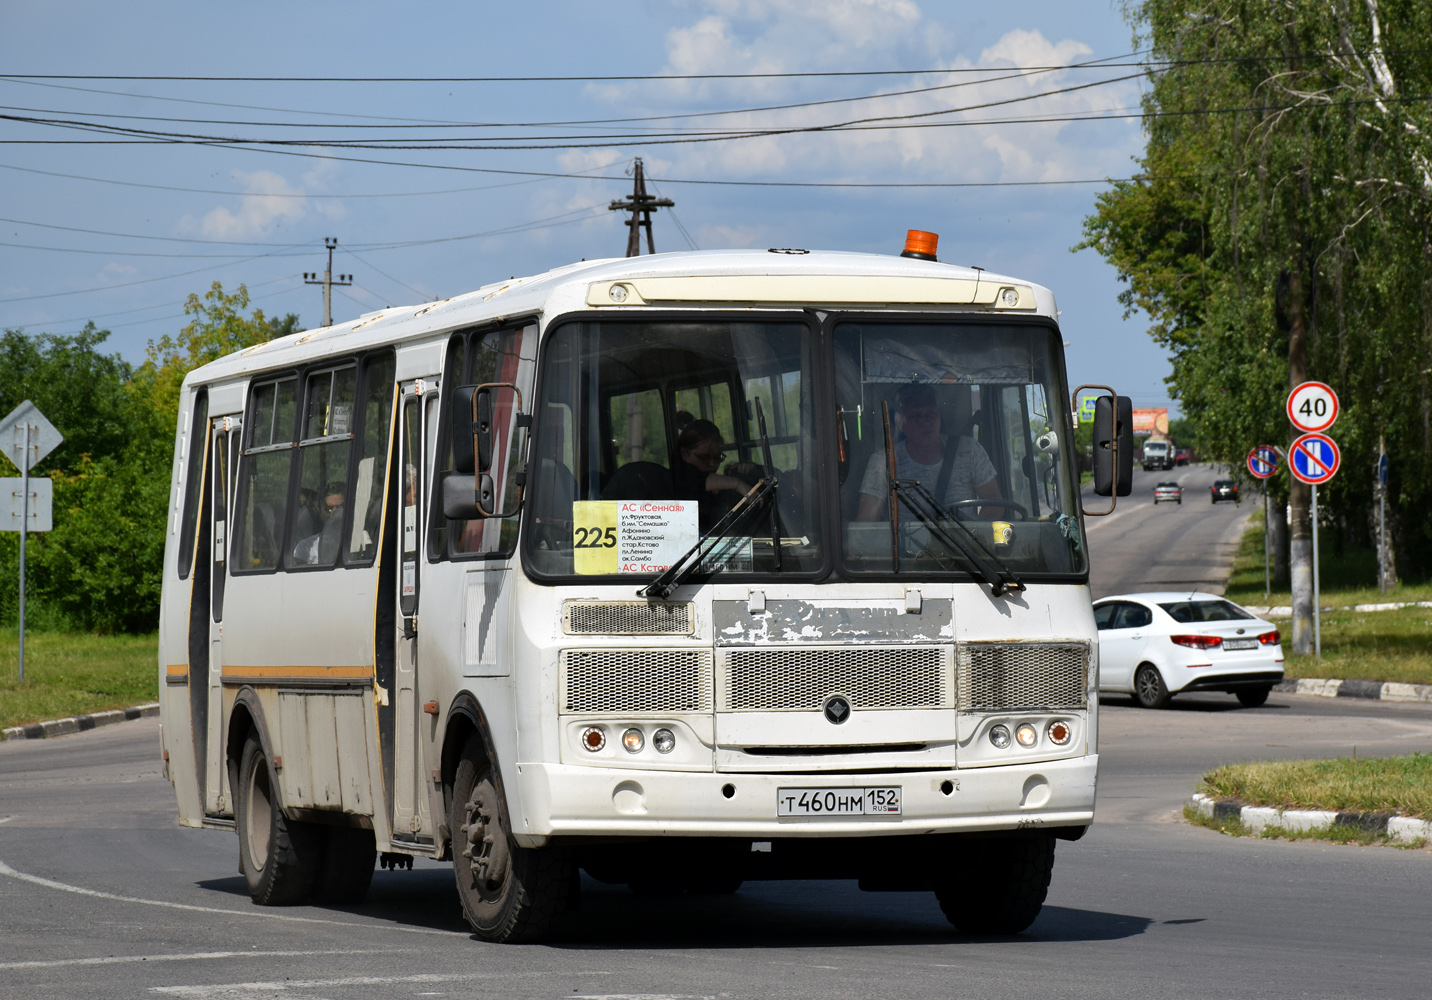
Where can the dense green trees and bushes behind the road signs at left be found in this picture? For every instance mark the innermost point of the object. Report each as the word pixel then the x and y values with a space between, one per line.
pixel 100 568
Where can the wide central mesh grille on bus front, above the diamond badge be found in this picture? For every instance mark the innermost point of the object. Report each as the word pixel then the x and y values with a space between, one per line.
pixel 803 678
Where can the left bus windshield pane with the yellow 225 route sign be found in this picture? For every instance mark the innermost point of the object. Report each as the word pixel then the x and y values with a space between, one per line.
pixel 651 432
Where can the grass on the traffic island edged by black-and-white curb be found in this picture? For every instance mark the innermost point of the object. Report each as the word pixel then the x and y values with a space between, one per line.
pixel 1347 784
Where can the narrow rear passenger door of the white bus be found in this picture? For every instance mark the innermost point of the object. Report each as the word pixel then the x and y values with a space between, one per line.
pixel 218 799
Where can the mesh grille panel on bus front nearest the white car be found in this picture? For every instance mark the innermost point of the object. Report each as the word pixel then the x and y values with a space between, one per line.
pixel 997 677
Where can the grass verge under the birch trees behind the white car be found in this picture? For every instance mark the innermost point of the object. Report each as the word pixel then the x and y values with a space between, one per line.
pixel 1391 645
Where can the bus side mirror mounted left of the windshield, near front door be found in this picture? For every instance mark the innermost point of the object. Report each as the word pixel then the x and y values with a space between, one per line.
pixel 488 423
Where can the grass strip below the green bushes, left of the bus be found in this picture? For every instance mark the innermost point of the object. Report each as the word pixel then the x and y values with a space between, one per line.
pixel 72 674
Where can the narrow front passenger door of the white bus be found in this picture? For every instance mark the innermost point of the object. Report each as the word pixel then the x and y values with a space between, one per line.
pixel 410 804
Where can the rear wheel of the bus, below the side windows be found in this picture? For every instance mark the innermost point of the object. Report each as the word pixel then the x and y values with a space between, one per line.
pixel 279 857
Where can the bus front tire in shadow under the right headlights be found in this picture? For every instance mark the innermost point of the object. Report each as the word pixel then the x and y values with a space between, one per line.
pixel 1006 888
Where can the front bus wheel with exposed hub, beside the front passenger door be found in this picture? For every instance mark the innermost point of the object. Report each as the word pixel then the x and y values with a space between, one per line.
pixel 509 893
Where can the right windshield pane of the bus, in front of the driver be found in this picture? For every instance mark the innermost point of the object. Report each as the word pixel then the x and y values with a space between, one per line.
pixel 979 419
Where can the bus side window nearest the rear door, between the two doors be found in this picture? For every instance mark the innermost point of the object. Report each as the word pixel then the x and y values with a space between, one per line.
pixel 264 475
